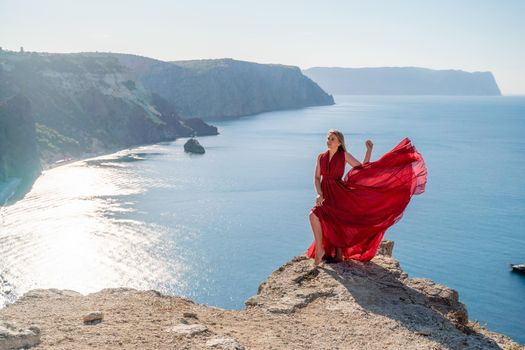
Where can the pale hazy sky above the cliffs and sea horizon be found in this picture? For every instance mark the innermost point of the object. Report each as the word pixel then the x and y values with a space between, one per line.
pixel 469 35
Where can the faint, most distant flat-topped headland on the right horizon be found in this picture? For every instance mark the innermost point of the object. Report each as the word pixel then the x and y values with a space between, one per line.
pixel 403 81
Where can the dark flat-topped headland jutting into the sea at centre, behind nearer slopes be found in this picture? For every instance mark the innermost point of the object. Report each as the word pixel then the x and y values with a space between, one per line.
pixel 226 88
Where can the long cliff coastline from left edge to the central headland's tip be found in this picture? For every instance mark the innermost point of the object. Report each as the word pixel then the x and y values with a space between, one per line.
pixel 95 102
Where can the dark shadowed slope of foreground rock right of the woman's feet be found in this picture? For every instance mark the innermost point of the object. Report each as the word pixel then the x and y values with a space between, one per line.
pixel 419 304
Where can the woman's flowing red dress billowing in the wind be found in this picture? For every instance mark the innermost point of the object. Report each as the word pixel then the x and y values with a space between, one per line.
pixel 358 209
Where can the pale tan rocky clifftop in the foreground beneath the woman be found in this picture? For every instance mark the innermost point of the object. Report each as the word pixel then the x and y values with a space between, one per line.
pixel 348 305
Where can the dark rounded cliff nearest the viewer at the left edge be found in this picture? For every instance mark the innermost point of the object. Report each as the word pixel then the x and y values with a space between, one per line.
pixel 18 149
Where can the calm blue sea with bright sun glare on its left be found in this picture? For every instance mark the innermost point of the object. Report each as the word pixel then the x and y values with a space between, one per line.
pixel 212 227
